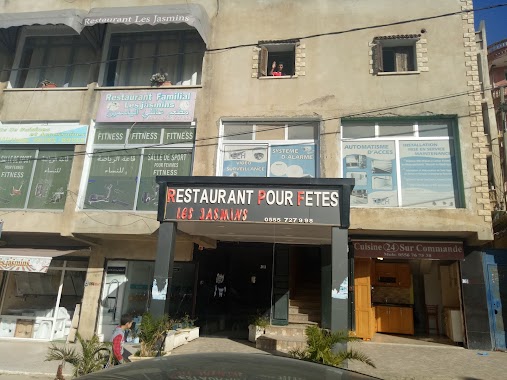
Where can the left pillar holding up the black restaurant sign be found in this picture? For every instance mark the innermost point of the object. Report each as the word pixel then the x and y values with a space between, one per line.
pixel 164 263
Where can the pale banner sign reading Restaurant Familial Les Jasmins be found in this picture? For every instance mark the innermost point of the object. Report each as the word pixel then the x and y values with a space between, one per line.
pixel 146 106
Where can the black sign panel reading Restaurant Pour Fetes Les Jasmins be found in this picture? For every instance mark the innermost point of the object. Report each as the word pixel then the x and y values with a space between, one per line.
pixel 254 205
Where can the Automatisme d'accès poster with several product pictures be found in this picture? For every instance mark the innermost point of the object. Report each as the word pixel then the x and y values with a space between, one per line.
pixel 373 166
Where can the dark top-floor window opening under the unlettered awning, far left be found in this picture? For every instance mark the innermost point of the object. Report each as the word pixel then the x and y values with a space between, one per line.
pixel 61 59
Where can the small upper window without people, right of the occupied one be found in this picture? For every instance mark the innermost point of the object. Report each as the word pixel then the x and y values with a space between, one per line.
pixel 395 54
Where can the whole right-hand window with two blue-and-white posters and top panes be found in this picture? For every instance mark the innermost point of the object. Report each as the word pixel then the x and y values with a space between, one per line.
pixel 397 163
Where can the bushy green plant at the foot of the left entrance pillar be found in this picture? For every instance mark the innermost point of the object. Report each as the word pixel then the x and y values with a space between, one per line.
pixel 152 332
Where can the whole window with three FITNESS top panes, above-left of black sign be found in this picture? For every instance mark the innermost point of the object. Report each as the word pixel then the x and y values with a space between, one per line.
pixel 125 179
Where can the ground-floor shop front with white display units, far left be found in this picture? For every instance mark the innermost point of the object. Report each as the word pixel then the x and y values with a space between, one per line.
pixel 41 295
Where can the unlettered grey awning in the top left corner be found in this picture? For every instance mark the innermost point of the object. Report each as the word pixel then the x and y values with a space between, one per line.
pixel 70 17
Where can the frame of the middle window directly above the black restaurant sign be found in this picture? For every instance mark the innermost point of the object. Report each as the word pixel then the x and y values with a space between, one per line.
pixel 268 143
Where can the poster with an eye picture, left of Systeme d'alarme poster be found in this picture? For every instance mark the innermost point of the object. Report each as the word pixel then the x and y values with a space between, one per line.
pixel 245 161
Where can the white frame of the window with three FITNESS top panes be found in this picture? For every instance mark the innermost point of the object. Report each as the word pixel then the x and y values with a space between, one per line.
pixel 91 147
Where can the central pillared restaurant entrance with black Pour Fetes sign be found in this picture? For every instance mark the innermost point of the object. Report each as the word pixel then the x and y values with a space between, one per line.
pixel 281 242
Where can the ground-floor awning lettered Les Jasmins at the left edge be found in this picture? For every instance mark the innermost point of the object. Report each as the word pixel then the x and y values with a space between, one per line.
pixel 28 259
